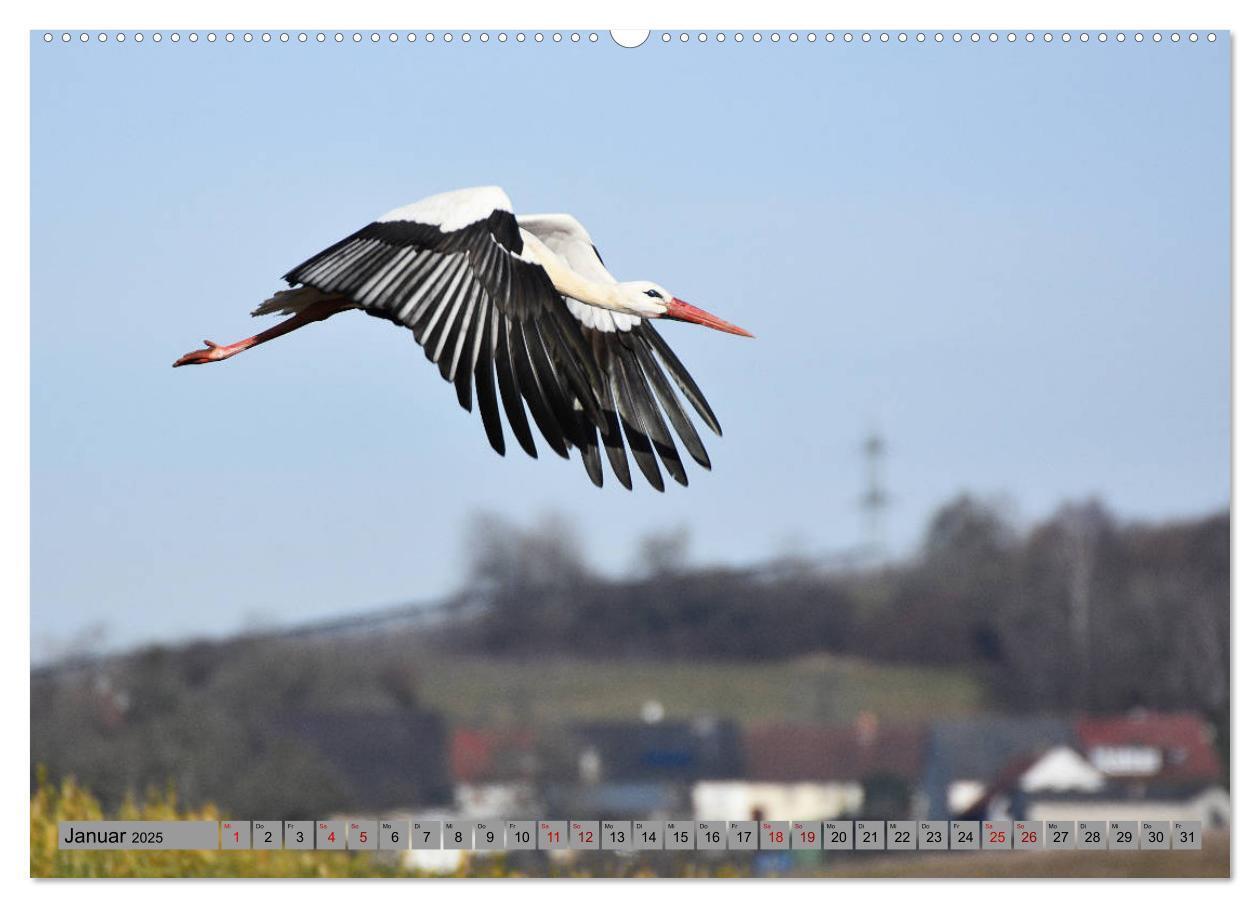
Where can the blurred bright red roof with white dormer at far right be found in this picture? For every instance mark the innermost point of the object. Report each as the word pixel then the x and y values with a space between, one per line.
pixel 1166 747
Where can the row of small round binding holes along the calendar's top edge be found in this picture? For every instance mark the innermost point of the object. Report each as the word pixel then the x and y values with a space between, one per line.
pixel 592 37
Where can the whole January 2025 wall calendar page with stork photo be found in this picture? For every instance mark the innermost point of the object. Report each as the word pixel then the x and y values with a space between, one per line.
pixel 568 453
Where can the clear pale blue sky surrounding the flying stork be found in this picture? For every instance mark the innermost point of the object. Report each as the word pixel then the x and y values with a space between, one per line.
pixel 1012 260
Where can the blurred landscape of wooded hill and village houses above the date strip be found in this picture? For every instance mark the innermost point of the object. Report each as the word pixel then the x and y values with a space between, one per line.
pixel 962 683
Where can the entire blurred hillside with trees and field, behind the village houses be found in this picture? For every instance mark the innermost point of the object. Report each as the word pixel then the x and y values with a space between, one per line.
pixel 1080 614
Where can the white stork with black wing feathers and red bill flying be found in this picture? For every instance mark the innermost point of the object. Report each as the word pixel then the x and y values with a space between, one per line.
pixel 525 302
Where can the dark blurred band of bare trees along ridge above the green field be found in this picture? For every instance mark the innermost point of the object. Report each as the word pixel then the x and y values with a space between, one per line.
pixel 1078 613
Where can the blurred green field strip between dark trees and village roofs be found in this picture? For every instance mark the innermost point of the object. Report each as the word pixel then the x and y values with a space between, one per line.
pixel 493 692
